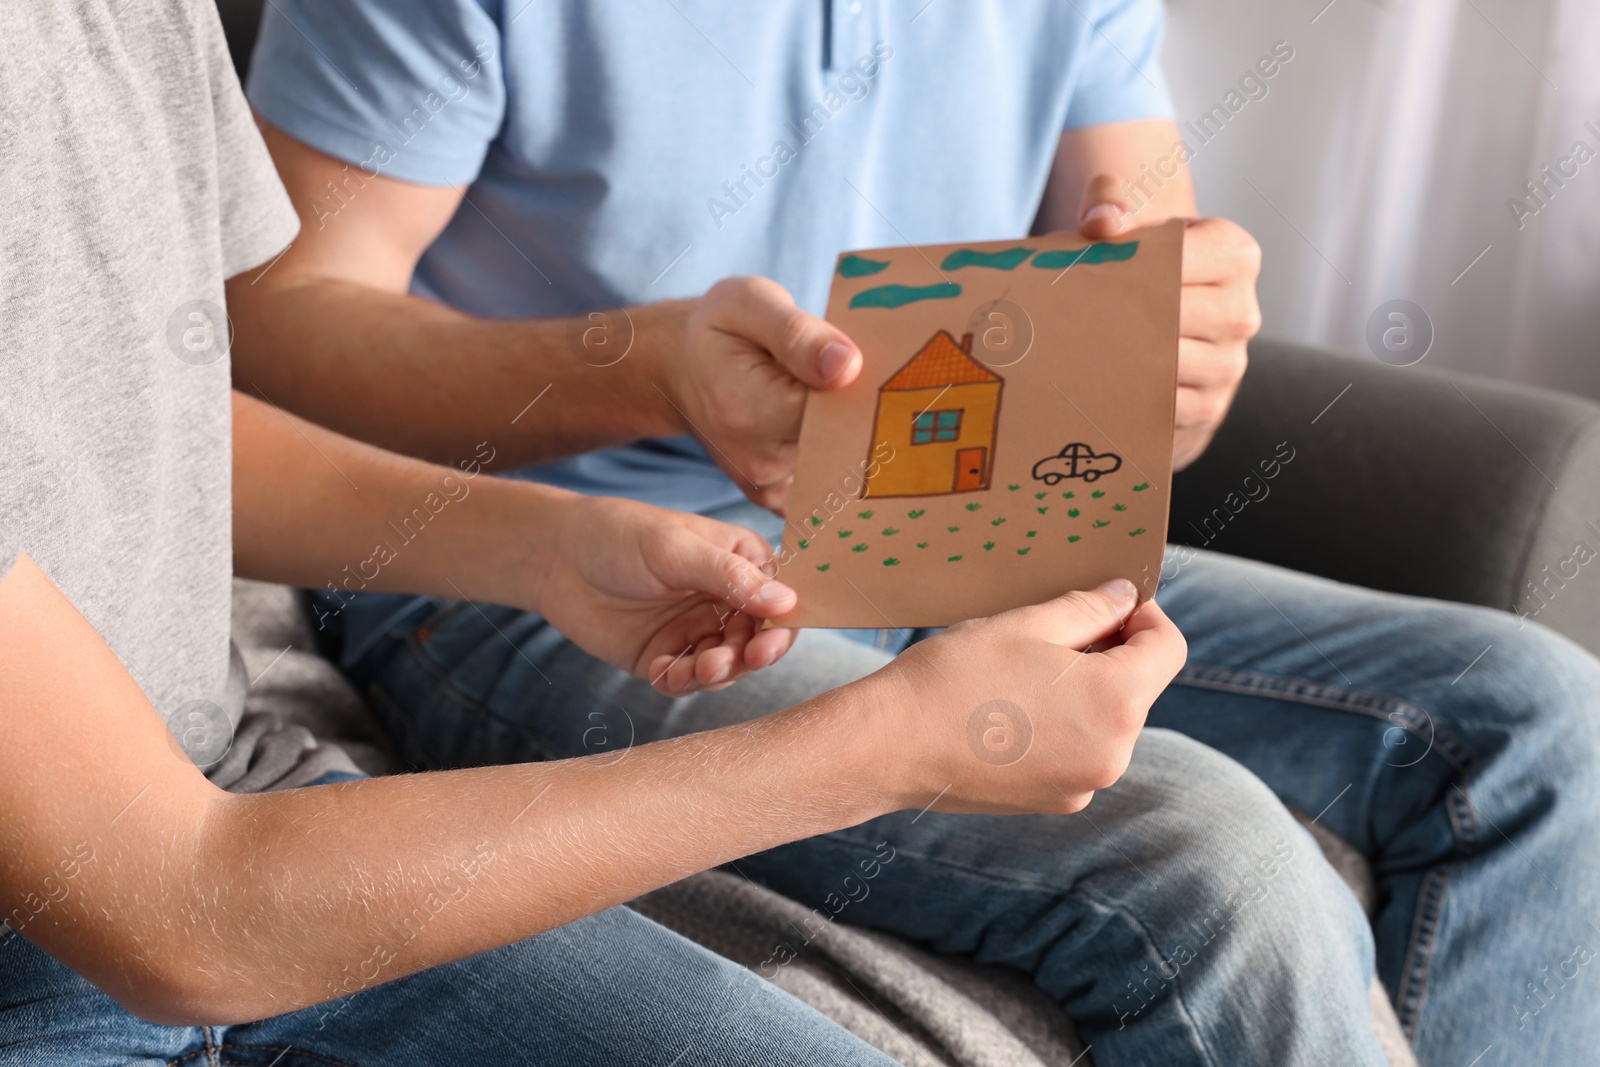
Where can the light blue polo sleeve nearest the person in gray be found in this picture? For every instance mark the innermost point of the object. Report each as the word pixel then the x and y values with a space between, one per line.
pixel 410 89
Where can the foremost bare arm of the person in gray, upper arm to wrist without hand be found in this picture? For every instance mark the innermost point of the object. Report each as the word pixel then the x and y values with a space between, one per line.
pixel 193 906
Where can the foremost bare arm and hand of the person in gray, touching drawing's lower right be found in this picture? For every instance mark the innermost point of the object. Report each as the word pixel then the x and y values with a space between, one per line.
pixel 193 906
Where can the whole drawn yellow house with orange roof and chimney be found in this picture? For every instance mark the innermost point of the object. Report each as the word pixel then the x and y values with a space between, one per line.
pixel 940 414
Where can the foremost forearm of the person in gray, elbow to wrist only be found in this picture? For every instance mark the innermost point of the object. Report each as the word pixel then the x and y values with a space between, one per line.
pixel 494 855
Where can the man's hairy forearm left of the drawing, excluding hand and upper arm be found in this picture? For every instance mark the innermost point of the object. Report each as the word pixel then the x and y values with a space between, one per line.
pixel 425 380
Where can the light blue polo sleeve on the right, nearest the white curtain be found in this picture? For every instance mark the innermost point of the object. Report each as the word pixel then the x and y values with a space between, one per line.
pixel 1121 78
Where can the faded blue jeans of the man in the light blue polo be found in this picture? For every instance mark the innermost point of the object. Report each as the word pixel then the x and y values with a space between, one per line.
pixel 1457 748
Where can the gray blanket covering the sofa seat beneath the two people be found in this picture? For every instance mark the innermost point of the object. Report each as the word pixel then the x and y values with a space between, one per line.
pixel 921 1009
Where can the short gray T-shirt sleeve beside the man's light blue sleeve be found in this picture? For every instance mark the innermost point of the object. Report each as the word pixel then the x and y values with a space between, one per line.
pixel 257 217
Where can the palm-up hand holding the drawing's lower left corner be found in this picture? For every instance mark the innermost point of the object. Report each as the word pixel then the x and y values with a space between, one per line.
pixel 674 599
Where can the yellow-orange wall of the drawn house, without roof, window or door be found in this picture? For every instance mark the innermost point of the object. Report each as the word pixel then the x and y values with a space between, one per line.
pixel 930 470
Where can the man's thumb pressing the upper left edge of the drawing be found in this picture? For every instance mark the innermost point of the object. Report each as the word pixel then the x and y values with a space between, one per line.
pixel 812 350
